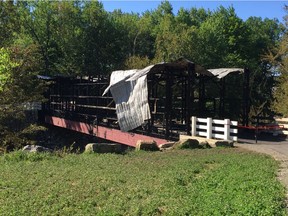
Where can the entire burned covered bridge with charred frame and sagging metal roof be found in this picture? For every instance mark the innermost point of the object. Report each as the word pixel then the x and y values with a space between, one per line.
pixel 154 103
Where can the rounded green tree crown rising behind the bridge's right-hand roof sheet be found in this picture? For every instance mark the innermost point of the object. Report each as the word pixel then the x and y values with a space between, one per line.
pixel 222 37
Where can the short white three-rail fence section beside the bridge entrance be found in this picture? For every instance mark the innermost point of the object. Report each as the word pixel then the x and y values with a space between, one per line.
pixel 214 128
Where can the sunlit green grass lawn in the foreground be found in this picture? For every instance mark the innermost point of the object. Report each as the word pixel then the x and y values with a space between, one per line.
pixel 180 182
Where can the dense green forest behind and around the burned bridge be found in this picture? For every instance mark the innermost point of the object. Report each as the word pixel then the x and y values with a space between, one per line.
pixel 81 38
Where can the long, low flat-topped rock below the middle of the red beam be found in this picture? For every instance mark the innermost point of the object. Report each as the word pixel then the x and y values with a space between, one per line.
pixel 103 147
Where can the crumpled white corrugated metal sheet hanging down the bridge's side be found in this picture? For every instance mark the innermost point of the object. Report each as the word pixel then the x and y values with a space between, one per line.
pixel 131 99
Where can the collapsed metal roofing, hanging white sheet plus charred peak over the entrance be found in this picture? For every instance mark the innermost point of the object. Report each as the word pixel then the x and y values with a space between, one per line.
pixel 130 92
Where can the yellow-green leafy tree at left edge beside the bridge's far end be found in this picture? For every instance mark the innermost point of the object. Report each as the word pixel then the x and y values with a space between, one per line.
pixel 19 86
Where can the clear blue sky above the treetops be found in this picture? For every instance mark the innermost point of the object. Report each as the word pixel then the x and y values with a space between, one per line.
pixel 244 9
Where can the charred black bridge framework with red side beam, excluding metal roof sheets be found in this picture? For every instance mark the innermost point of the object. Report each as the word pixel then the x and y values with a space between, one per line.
pixel 176 91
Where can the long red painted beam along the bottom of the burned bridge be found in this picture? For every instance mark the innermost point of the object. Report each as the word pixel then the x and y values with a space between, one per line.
pixel 113 135
